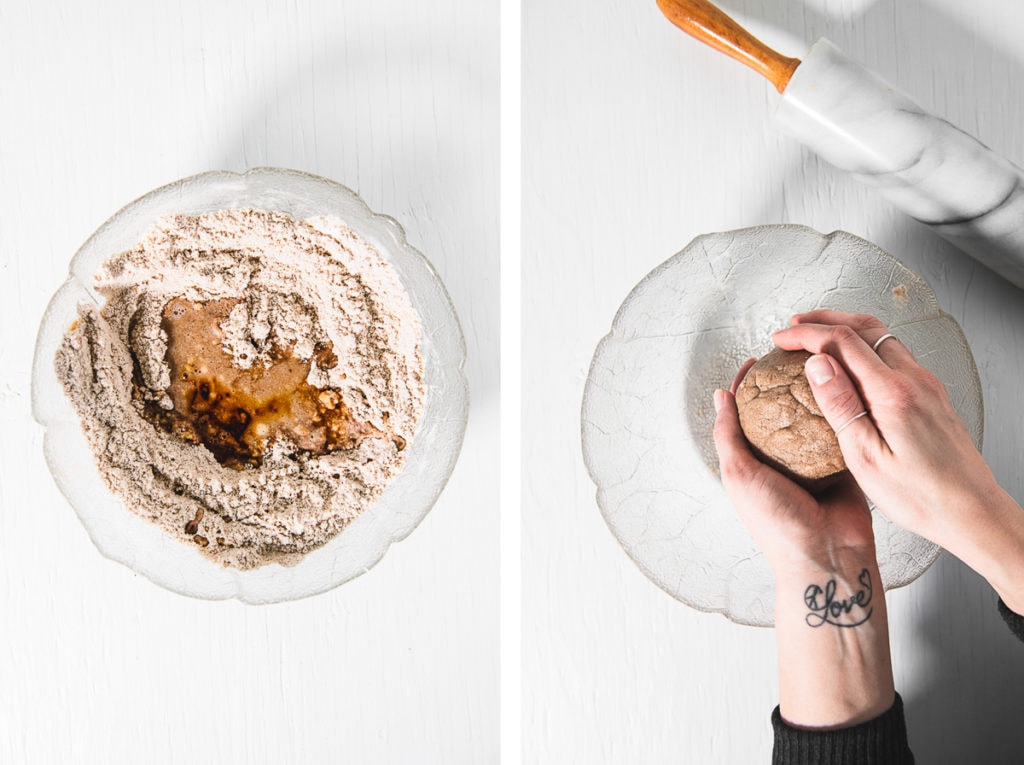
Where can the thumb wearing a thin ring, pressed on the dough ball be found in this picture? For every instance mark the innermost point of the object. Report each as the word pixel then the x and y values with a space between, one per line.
pixel 842 406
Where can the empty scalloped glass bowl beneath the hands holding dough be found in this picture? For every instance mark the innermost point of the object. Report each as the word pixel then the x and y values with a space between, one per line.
pixel 684 332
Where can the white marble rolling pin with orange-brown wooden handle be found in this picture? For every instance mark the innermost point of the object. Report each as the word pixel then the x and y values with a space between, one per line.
pixel 930 169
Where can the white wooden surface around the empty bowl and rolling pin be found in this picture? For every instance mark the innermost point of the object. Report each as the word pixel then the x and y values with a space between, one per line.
pixel 636 139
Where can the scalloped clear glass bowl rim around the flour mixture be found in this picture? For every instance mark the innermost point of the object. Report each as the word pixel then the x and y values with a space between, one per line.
pixel 139 544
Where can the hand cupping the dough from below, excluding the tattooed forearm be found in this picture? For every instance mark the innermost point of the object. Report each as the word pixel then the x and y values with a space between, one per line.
pixel 792 527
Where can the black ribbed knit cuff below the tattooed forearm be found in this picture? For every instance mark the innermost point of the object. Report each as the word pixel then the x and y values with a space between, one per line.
pixel 878 742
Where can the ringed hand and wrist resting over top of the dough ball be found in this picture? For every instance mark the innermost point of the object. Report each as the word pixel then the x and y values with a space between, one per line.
pixel 912 453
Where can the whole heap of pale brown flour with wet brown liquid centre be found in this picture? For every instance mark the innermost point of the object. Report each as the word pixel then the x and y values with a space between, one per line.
pixel 250 384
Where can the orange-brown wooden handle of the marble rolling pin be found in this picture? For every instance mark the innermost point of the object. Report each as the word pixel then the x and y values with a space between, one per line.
pixel 709 25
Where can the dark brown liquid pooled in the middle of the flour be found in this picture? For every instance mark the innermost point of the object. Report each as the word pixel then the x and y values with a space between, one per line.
pixel 238 413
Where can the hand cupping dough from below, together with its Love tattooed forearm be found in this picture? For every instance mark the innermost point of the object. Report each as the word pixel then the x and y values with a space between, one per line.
pixel 830 606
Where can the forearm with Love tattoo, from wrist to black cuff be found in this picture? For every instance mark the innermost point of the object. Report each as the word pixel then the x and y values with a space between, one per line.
pixel 832 628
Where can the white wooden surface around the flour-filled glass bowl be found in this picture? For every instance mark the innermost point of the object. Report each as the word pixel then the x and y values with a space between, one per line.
pixel 397 100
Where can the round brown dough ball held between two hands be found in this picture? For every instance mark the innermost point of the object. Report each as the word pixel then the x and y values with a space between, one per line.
pixel 783 422
